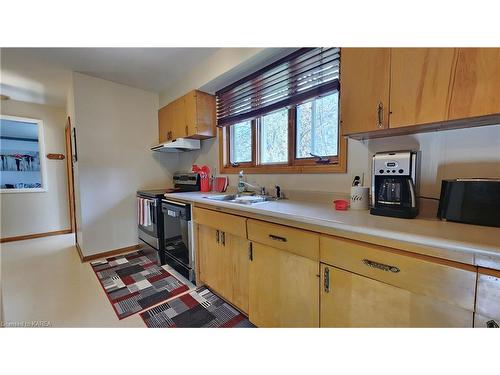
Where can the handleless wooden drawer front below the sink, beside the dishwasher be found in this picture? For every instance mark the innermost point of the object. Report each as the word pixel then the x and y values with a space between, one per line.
pixel 225 222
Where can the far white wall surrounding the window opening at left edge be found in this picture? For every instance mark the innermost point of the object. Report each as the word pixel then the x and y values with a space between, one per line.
pixel 30 213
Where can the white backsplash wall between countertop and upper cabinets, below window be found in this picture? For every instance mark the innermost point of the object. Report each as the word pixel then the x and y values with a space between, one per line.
pixel 473 152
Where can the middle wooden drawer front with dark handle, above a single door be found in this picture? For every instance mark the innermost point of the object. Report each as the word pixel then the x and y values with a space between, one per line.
pixel 296 241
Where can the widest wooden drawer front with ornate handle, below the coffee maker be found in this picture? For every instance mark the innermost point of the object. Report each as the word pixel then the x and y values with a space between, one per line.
pixel 451 282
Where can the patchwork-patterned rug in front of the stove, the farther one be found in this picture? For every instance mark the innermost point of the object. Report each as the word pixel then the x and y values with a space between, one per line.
pixel 134 282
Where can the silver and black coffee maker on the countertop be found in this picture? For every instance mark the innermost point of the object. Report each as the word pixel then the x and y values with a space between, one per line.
pixel 395 184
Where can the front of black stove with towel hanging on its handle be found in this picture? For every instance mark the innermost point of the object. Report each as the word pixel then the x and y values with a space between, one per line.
pixel 151 231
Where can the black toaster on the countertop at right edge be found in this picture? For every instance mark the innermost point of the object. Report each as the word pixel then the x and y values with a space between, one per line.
pixel 471 201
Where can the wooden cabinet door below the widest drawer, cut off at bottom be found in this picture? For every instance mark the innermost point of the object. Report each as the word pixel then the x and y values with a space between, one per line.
pixel 351 300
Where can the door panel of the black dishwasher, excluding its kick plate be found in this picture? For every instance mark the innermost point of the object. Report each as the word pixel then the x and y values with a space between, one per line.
pixel 177 231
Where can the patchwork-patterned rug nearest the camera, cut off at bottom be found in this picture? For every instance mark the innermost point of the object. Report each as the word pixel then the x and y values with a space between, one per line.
pixel 199 308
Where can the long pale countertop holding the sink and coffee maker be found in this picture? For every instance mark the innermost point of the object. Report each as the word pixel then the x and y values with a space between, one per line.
pixel 476 241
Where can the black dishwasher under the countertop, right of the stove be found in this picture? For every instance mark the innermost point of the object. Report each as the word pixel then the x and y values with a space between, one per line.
pixel 178 250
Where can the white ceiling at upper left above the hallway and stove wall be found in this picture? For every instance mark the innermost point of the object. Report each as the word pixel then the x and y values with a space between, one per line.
pixel 43 75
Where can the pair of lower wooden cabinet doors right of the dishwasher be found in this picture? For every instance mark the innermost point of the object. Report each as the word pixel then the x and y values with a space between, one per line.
pixel 223 264
